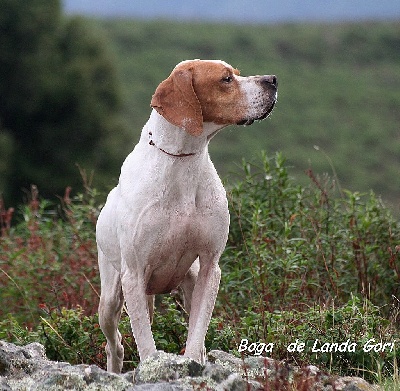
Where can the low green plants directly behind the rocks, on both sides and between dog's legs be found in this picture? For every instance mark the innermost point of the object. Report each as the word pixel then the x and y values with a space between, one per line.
pixel 70 335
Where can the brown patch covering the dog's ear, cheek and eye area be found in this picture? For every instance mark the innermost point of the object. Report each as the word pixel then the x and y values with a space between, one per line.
pixel 200 91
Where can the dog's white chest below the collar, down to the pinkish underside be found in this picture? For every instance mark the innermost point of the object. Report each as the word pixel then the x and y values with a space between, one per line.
pixel 170 212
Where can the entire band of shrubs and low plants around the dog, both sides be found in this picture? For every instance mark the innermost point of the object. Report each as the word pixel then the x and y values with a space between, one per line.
pixel 302 263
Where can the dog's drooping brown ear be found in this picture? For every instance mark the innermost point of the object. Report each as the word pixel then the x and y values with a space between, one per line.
pixel 176 100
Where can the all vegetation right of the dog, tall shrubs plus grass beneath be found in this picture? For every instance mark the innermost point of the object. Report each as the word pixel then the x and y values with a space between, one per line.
pixel 311 262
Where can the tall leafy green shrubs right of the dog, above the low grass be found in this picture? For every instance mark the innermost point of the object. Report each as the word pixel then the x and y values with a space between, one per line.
pixel 292 246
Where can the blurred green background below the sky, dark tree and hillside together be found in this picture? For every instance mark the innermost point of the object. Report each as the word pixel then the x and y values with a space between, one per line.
pixel 76 91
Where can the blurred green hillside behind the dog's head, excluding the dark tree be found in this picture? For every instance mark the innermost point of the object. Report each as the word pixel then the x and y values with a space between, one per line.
pixel 339 90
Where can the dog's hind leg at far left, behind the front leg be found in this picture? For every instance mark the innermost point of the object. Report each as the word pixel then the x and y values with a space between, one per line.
pixel 110 308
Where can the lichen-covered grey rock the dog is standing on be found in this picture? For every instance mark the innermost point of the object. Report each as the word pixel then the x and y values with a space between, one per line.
pixel 27 368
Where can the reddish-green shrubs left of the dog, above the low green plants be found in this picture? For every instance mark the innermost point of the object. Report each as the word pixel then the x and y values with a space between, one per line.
pixel 50 257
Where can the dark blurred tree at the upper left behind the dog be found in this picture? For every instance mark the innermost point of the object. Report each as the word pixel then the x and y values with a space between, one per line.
pixel 59 97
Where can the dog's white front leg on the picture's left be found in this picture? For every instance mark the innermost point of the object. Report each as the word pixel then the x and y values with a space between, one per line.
pixel 138 311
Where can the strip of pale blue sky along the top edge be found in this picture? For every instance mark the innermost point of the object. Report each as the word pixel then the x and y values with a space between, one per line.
pixel 245 11
